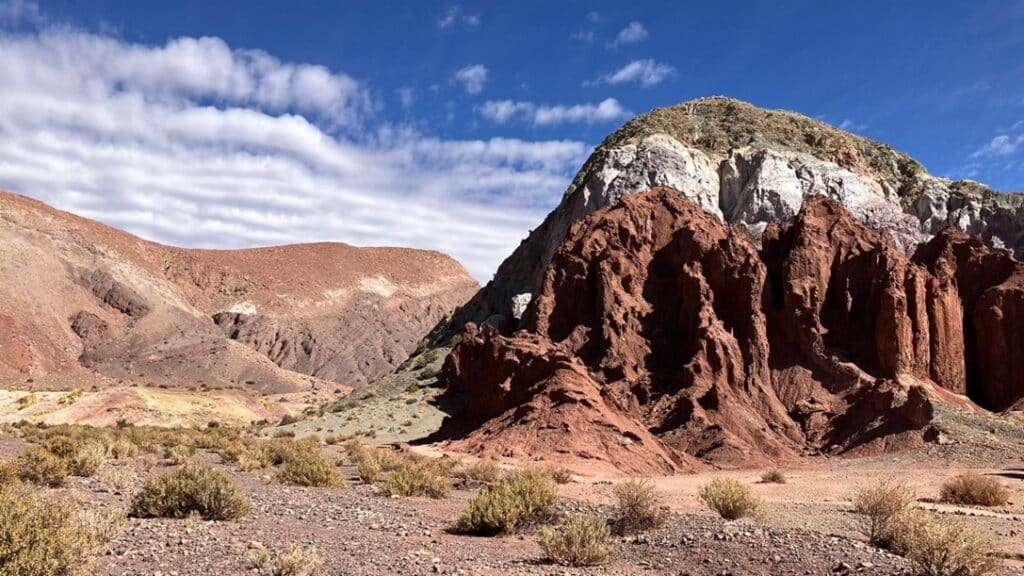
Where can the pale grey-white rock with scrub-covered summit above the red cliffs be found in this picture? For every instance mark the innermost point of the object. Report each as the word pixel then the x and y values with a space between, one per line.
pixel 750 167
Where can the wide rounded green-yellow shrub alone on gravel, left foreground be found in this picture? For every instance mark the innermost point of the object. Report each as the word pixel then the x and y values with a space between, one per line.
pixel 191 489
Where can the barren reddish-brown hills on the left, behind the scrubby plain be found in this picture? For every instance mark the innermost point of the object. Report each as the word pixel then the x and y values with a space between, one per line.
pixel 84 306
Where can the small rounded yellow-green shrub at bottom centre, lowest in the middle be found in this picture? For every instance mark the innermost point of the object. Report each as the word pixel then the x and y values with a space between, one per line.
pixel 582 541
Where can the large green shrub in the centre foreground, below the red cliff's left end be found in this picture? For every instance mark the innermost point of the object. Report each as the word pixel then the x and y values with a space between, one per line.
pixel 504 507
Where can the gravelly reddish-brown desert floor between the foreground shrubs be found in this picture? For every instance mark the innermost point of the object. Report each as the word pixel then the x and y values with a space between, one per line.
pixel 808 530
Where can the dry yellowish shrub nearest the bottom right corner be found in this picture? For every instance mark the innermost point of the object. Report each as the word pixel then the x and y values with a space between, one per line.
pixel 941 547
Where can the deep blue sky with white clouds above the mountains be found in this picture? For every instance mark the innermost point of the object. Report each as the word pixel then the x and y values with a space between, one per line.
pixel 456 127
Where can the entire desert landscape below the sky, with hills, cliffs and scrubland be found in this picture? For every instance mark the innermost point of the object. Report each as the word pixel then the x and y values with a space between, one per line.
pixel 745 342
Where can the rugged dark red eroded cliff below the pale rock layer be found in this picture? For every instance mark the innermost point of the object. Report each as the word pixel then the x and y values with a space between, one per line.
pixel 658 323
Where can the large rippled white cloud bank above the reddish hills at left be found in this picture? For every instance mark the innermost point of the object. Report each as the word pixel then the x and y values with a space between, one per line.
pixel 195 144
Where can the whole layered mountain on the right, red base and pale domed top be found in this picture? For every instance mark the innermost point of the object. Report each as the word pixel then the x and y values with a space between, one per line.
pixel 724 285
